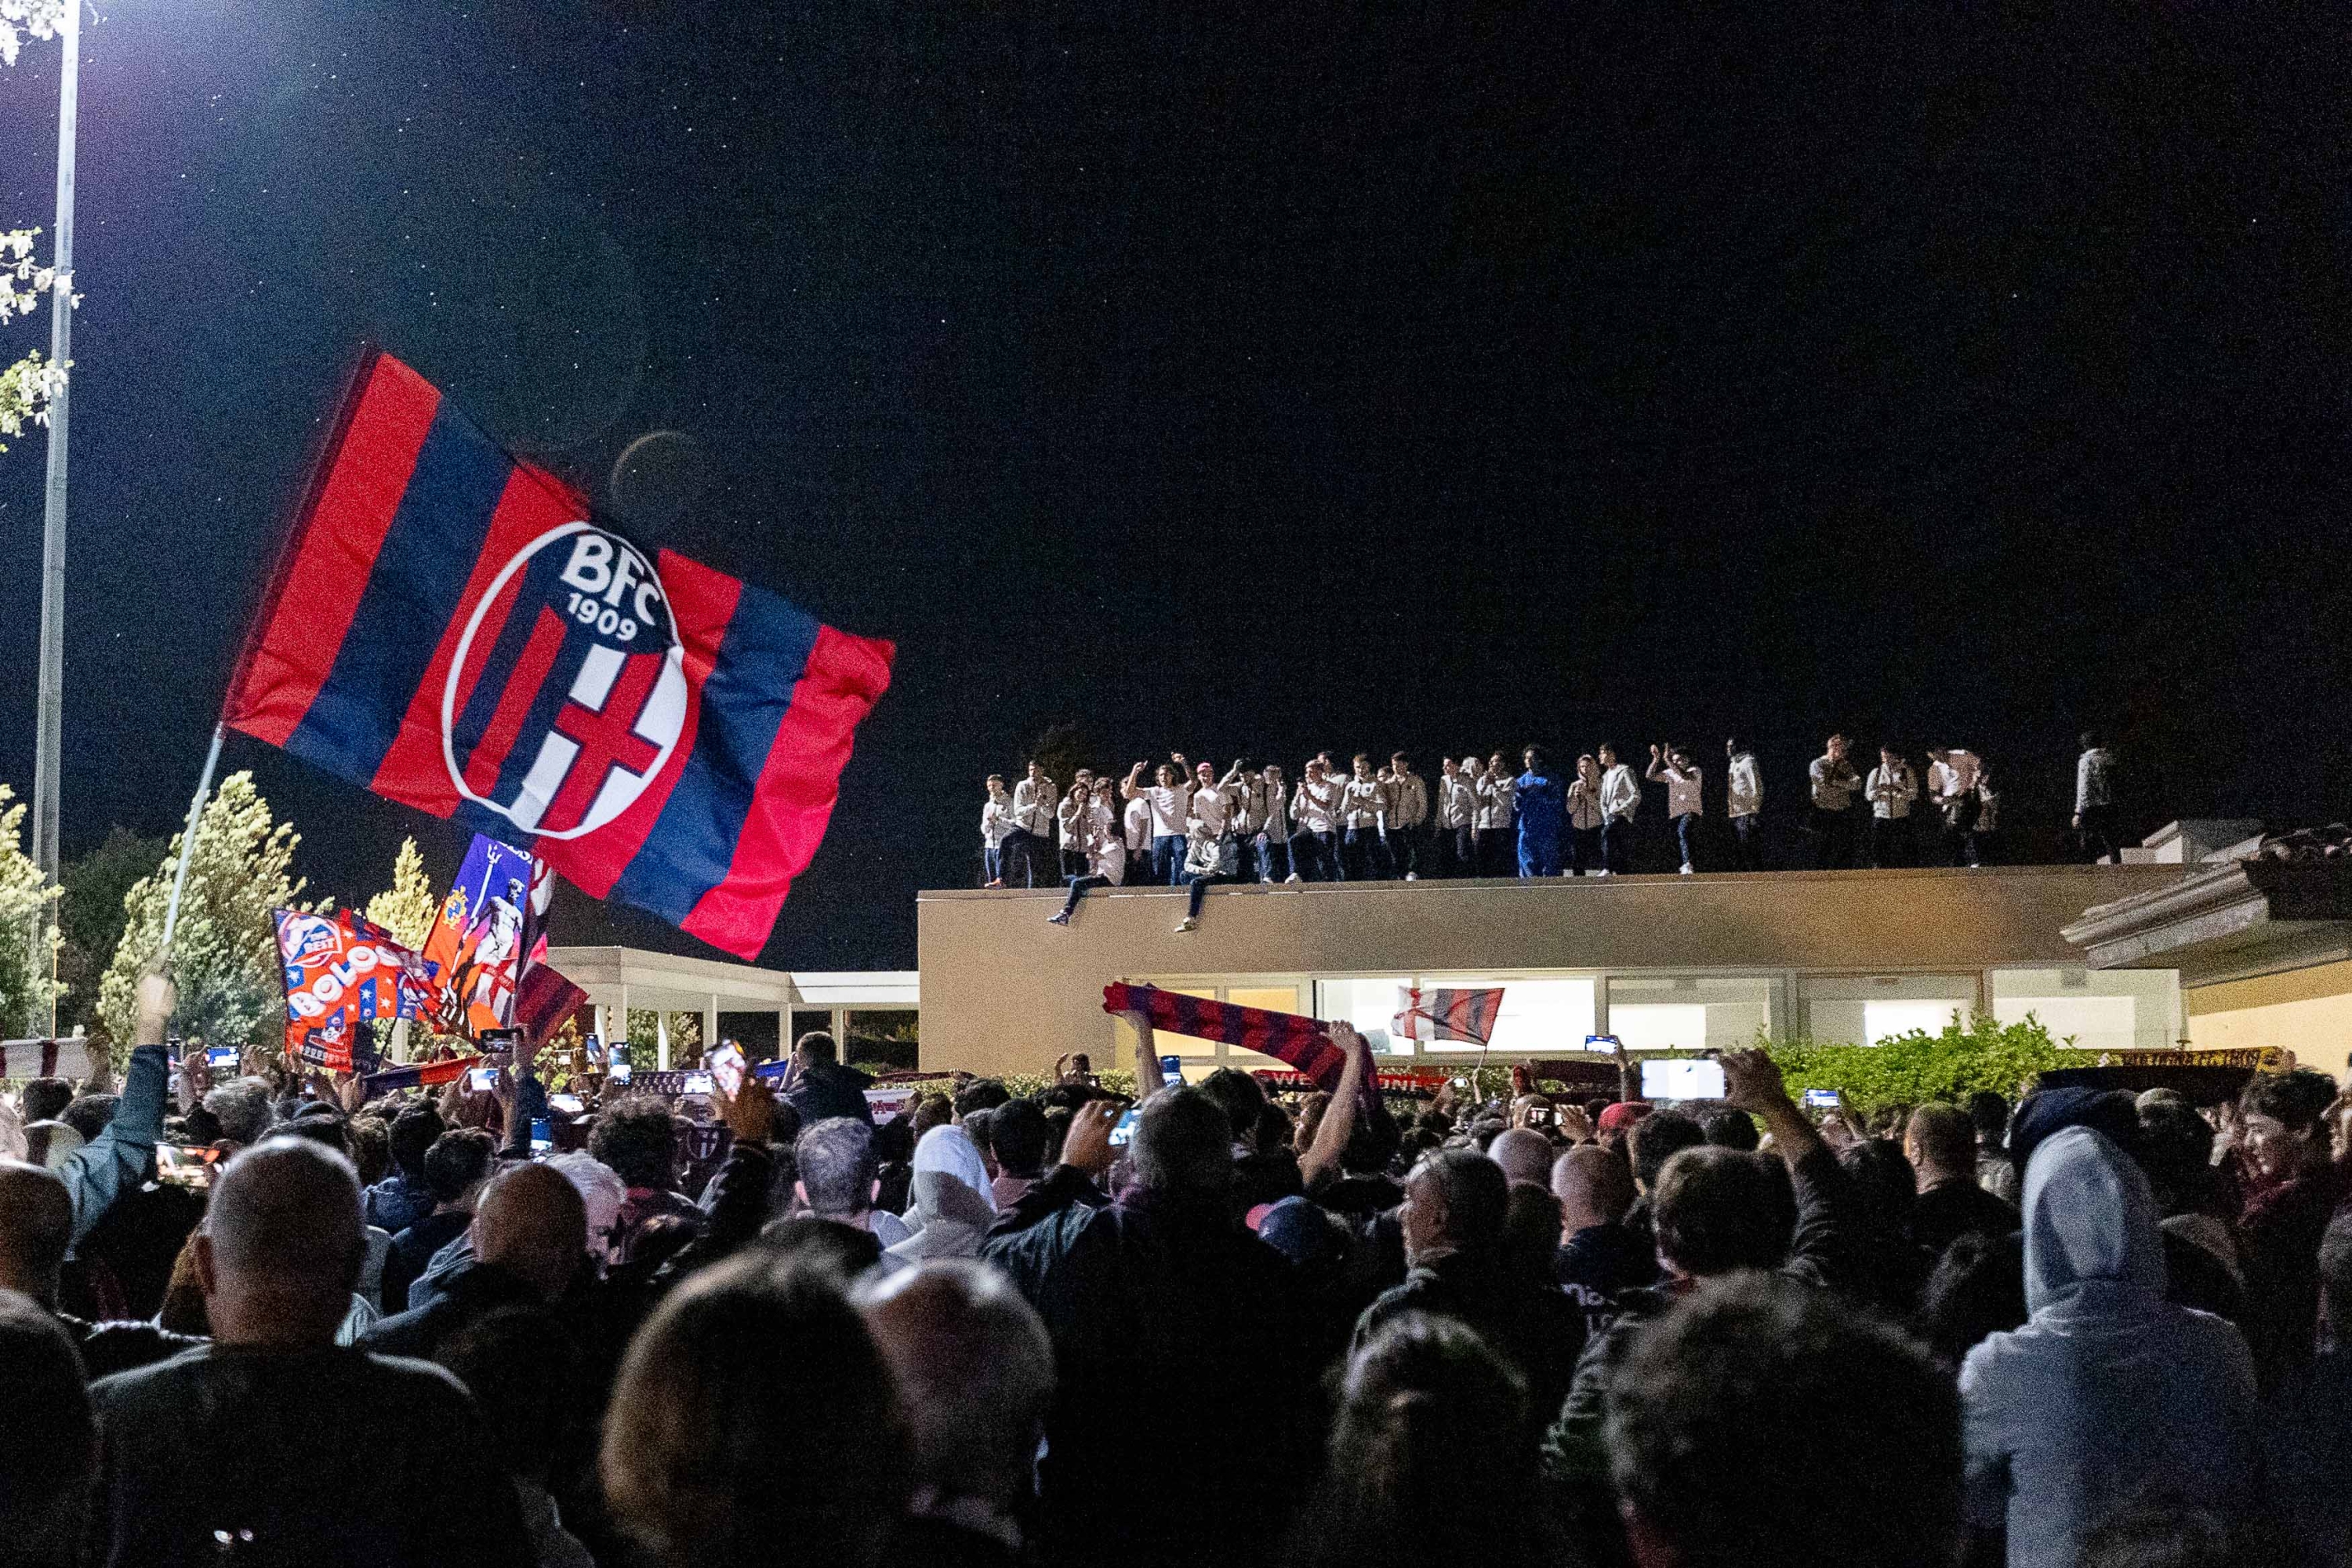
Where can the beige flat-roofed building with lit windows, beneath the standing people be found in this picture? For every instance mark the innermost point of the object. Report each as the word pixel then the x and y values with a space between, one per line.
pixel 1664 963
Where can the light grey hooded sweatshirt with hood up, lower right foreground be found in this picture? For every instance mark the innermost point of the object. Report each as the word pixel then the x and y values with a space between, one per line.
pixel 2109 1393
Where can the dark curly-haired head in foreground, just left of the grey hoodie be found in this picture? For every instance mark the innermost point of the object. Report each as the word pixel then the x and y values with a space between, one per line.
pixel 1735 1407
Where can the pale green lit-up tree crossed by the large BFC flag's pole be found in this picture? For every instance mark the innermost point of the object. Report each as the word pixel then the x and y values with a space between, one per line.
pixel 225 953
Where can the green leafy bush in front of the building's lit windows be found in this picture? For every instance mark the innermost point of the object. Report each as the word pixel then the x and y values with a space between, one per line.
pixel 1918 1068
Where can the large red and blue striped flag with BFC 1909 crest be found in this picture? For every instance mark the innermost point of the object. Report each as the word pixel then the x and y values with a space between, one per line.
pixel 450 629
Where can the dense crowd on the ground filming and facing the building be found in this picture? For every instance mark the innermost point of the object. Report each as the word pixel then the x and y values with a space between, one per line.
pixel 1205 1325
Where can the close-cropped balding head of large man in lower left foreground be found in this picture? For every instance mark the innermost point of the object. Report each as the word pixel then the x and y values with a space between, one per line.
pixel 281 1245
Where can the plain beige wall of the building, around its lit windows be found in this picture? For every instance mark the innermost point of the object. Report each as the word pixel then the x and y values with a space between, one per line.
pixel 1008 993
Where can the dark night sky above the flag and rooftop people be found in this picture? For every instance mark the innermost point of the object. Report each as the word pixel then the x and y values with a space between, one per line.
pixel 1257 377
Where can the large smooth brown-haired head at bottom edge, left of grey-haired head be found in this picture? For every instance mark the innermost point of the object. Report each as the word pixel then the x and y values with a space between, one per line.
pixel 754 1419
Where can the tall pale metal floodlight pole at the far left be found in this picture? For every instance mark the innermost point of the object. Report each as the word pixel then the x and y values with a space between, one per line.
pixel 51 690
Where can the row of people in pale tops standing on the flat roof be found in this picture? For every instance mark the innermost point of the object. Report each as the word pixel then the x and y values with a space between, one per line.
pixel 1372 822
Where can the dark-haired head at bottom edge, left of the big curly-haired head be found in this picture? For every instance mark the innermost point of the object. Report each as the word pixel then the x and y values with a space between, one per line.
pixel 1429 1414
